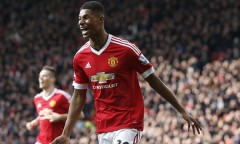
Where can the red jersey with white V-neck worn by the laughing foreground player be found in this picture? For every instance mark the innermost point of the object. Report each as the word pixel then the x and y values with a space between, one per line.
pixel 112 74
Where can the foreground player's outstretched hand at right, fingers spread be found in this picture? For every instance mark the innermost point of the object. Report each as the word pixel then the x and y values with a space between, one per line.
pixel 192 123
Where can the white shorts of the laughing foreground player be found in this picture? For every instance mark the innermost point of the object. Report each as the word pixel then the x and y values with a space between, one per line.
pixel 122 136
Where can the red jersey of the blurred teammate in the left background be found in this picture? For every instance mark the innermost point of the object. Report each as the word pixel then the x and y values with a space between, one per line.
pixel 58 102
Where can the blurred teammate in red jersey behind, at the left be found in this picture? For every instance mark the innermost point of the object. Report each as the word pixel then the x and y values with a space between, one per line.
pixel 52 105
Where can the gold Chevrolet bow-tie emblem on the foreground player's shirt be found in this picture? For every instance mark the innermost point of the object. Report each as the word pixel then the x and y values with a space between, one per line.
pixel 102 77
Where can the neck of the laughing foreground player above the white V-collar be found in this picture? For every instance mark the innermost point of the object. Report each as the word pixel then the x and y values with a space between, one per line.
pixel 99 41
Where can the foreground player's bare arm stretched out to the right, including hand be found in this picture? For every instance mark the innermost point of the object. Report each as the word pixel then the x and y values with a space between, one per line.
pixel 156 83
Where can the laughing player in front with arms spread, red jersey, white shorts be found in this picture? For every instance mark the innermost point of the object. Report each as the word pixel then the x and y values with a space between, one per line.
pixel 110 65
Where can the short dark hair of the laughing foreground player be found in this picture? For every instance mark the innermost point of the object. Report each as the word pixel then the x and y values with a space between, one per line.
pixel 94 6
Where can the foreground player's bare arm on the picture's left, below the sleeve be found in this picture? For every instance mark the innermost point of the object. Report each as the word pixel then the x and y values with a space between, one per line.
pixel 76 106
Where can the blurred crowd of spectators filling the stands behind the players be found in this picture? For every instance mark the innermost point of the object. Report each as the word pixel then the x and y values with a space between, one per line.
pixel 194 46
